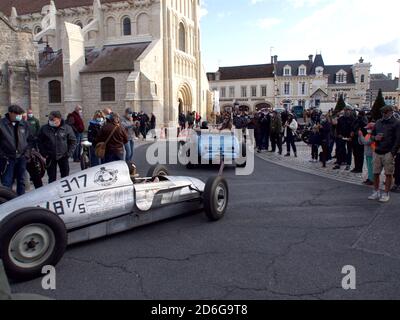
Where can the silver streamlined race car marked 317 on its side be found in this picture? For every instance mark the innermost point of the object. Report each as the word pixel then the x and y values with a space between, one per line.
pixel 36 228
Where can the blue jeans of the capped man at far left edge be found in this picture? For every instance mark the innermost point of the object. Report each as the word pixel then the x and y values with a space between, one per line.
pixel 13 168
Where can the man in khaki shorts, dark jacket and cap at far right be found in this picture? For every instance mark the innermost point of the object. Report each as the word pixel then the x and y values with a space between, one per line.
pixel 386 134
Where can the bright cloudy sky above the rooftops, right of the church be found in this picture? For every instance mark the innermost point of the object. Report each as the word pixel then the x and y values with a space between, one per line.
pixel 240 32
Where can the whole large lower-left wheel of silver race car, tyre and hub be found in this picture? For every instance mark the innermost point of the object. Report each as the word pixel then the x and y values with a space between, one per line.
pixel 29 240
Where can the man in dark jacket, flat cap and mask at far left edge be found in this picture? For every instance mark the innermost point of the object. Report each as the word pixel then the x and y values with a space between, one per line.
pixel 15 142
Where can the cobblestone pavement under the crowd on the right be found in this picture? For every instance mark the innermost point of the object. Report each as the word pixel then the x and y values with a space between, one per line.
pixel 303 164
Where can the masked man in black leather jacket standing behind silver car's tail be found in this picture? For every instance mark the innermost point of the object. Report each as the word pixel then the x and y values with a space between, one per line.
pixel 57 143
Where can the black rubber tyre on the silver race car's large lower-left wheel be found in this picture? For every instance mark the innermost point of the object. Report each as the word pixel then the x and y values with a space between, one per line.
pixel 25 218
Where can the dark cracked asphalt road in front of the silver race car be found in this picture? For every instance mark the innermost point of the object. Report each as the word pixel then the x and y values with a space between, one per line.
pixel 286 235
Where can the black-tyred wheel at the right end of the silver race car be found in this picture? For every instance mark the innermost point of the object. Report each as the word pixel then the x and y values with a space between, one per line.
pixel 213 206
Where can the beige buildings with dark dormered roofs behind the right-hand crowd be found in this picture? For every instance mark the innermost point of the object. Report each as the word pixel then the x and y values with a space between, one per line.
pixel 285 84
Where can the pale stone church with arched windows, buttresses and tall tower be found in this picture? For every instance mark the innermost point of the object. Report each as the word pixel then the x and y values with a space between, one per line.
pixel 143 54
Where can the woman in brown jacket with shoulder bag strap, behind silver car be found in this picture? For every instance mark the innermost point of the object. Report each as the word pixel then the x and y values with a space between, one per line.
pixel 110 142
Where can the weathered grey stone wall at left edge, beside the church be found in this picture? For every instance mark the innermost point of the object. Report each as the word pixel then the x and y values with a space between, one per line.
pixel 18 71
